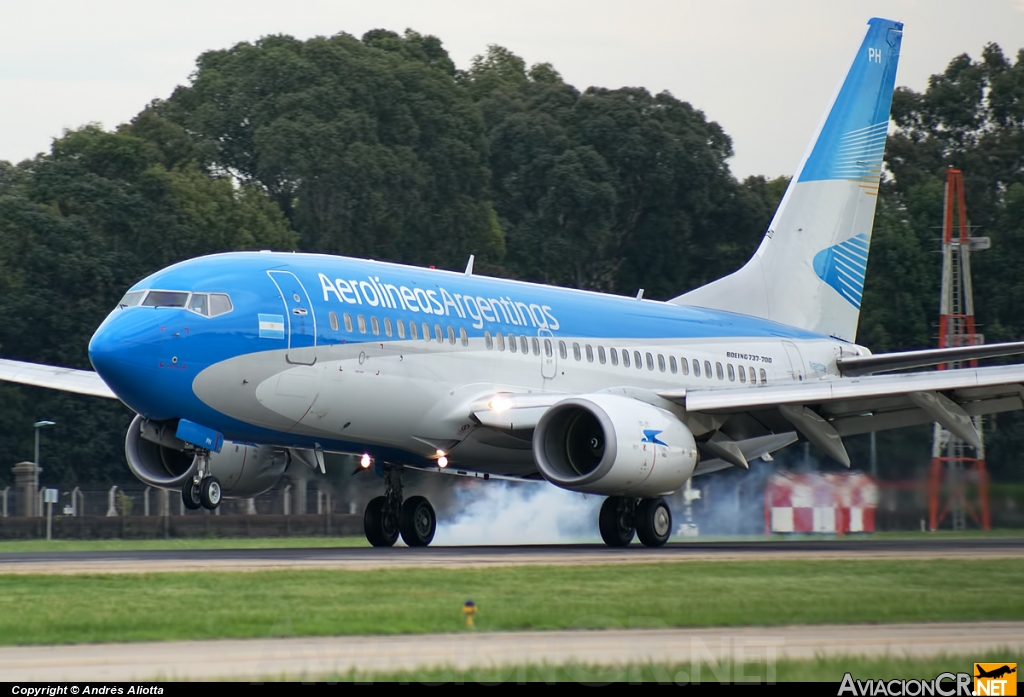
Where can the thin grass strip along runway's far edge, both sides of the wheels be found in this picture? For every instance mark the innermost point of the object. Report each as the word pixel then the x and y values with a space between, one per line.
pixel 295 543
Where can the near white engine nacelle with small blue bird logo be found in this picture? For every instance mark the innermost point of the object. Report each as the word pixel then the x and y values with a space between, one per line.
pixel 614 446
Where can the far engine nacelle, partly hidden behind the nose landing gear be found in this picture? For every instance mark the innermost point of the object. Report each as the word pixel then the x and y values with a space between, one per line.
pixel 158 459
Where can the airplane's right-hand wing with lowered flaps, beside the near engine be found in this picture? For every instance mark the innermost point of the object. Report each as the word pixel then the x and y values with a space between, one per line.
pixel 826 411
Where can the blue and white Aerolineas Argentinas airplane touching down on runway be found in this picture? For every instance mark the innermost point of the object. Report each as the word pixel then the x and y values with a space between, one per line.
pixel 239 365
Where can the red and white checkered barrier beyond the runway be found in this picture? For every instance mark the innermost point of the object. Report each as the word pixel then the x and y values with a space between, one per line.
pixel 834 504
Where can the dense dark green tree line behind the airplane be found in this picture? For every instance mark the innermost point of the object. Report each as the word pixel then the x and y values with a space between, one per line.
pixel 380 148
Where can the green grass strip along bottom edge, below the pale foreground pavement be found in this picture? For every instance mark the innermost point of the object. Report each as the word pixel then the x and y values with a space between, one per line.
pixel 822 670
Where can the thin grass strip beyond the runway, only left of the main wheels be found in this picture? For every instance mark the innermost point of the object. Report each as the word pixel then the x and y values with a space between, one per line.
pixel 14 546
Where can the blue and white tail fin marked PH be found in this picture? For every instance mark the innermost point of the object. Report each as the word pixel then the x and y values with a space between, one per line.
pixel 809 270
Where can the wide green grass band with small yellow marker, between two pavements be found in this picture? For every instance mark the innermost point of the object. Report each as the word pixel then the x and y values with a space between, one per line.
pixel 54 609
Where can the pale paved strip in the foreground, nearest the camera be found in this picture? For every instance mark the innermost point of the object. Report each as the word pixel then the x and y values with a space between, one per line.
pixel 741 652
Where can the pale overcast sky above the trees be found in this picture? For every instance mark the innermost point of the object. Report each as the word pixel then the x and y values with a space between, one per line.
pixel 764 71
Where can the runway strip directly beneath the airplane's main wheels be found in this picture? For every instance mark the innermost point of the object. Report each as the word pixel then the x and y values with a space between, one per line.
pixel 466 557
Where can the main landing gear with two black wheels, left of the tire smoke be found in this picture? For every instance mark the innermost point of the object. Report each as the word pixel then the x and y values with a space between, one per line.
pixel 389 516
